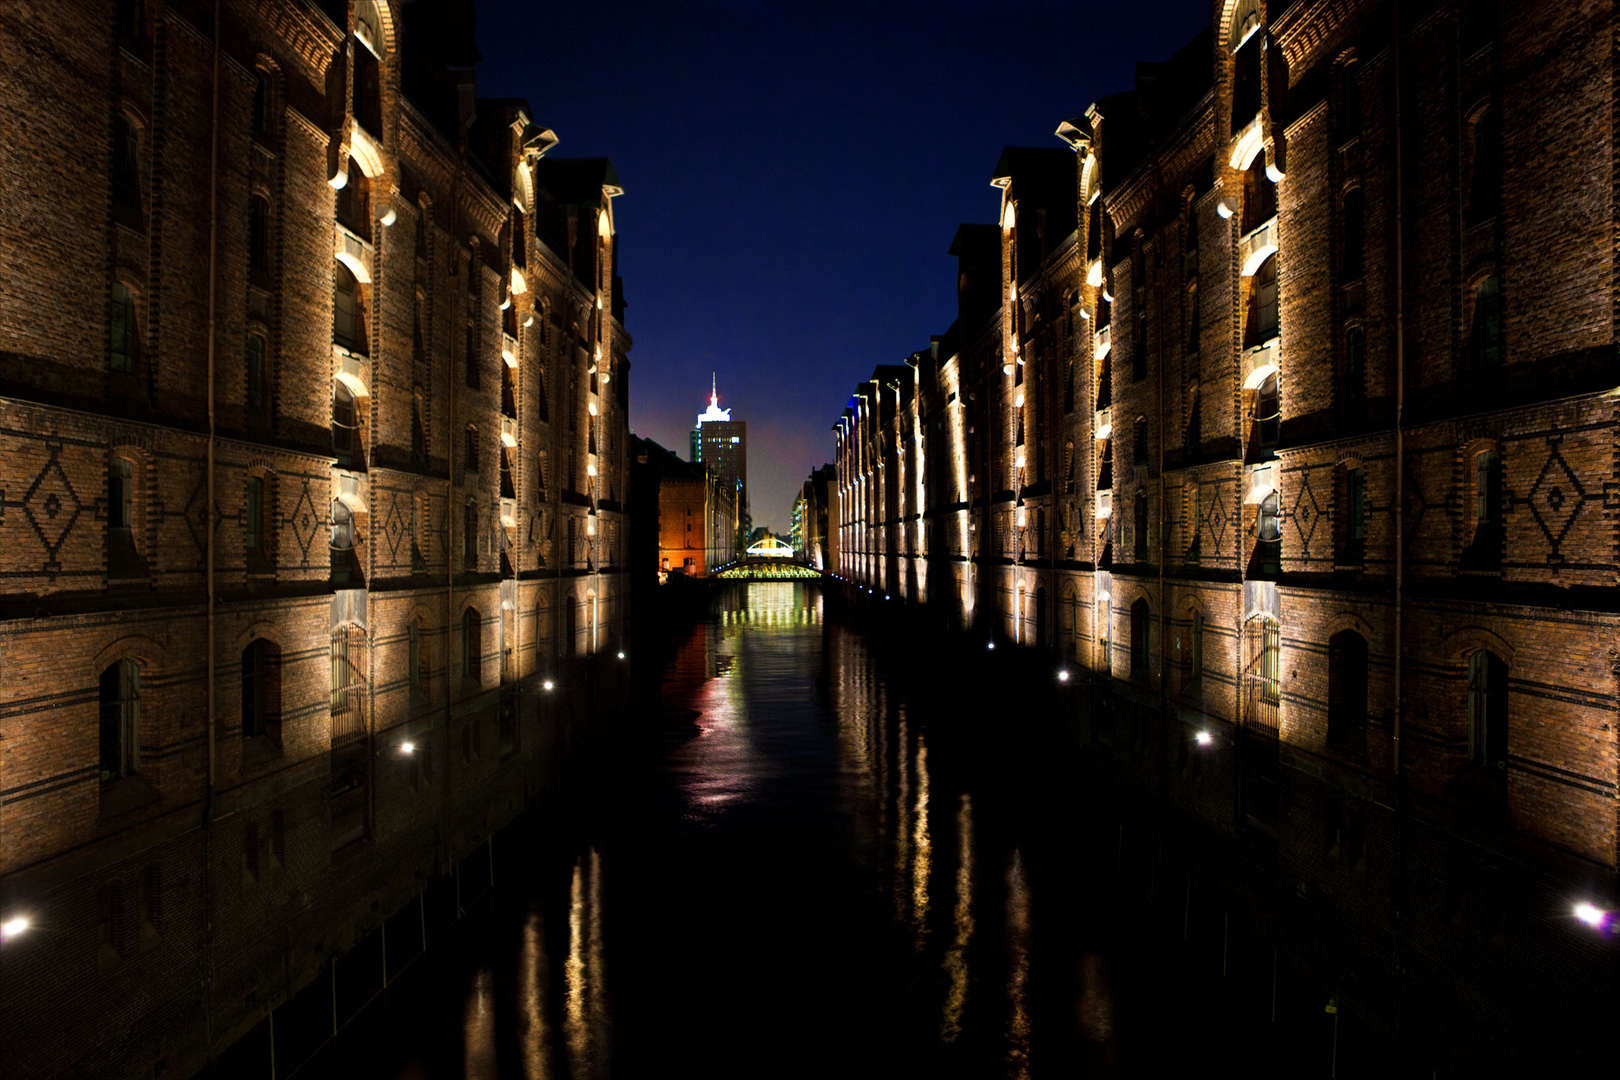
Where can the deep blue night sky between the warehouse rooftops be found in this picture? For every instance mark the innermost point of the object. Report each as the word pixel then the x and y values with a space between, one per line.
pixel 795 174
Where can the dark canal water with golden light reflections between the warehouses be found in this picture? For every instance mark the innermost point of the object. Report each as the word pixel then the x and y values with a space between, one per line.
pixel 832 853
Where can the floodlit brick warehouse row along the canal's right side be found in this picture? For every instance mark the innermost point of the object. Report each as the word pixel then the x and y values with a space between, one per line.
pixel 1281 410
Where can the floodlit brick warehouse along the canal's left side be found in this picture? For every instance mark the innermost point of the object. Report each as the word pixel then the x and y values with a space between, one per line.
pixel 313 388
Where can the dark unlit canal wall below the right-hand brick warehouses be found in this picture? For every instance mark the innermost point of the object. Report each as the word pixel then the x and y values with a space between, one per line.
pixel 1399 938
